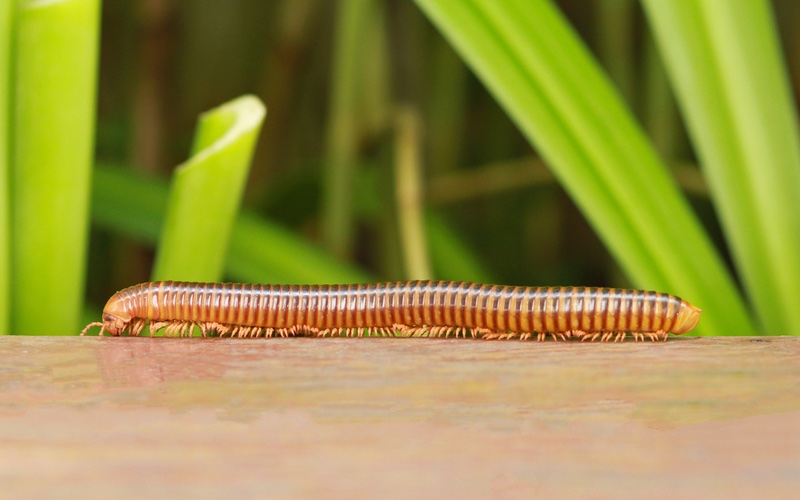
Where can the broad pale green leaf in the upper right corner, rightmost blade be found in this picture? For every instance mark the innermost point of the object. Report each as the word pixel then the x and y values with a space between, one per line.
pixel 733 90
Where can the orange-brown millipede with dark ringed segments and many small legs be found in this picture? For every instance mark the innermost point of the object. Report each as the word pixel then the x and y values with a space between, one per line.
pixel 414 308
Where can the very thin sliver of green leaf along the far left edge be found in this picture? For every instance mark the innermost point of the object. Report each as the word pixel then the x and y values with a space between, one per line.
pixel 6 13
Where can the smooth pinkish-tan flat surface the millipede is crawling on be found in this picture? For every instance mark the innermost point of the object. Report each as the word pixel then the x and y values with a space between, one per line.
pixel 344 418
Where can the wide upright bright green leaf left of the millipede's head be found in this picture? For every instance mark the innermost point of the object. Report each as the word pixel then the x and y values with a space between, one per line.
pixel 56 47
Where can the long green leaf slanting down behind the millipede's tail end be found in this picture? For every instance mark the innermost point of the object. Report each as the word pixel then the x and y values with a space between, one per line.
pixel 540 72
